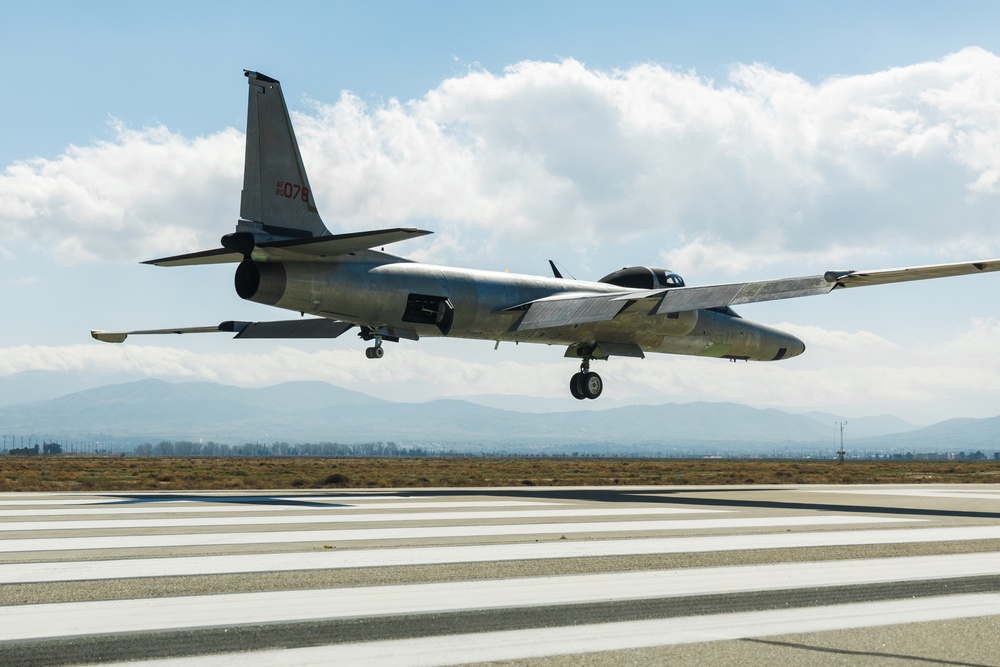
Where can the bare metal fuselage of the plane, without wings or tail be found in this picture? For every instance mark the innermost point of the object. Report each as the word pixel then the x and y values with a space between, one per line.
pixel 377 290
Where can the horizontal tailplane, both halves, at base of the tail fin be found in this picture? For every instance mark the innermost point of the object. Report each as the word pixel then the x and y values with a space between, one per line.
pixel 309 249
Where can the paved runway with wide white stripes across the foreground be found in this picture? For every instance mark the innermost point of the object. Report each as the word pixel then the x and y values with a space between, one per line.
pixel 828 575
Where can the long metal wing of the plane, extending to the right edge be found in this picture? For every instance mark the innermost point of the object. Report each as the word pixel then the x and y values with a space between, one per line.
pixel 581 308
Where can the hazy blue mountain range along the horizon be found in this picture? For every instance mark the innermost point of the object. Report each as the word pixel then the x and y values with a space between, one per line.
pixel 152 410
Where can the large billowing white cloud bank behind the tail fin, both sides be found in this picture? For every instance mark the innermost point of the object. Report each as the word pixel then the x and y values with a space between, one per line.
pixel 555 153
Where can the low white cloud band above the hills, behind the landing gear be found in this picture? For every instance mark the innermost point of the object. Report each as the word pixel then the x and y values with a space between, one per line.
pixel 855 373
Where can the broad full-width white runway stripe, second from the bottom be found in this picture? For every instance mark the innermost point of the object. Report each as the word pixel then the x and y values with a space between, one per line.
pixel 200 611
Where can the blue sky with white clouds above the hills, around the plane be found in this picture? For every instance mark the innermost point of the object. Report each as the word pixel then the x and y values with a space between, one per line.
pixel 724 140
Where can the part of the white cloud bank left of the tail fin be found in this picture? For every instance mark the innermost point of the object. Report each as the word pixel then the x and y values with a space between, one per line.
pixel 146 193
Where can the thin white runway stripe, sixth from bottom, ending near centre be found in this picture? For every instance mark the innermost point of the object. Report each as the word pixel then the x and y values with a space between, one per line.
pixel 225 508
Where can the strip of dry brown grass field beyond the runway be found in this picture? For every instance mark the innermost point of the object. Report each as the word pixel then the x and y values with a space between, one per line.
pixel 79 473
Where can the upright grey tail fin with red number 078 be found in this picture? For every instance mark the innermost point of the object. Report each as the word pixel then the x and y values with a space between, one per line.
pixel 277 200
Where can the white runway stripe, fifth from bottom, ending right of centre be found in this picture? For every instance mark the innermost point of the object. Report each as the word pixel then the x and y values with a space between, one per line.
pixel 339 516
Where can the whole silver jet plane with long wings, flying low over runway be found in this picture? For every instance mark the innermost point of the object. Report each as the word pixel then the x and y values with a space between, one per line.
pixel 286 257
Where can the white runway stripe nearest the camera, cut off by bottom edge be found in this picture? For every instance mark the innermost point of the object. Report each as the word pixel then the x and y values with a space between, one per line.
pixel 574 640
